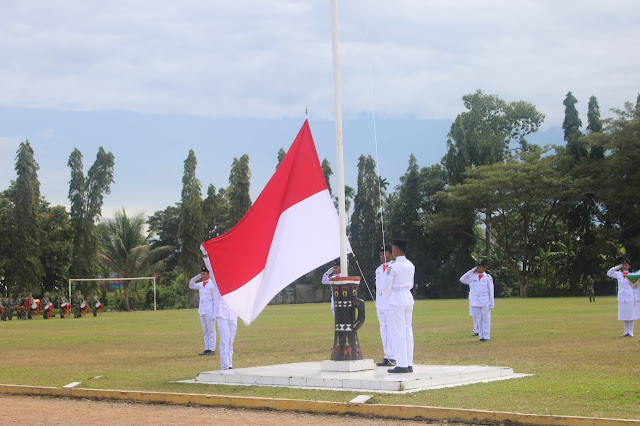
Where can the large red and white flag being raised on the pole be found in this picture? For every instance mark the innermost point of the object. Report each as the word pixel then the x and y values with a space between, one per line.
pixel 291 229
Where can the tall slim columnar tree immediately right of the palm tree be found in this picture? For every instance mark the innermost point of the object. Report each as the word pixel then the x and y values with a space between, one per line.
pixel 191 229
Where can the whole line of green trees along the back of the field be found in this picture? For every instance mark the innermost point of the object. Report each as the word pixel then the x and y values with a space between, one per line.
pixel 543 217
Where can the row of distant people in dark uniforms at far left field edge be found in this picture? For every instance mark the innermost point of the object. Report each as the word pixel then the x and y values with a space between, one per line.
pixel 26 307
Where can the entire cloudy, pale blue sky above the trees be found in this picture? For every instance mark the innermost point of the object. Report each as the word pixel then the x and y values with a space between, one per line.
pixel 150 80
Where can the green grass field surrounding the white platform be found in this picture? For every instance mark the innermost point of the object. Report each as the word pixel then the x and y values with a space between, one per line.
pixel 580 366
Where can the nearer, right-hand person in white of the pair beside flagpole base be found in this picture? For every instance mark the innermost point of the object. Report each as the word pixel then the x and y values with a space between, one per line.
pixel 398 284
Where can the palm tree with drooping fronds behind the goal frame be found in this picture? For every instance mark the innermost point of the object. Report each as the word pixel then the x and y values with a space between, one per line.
pixel 126 251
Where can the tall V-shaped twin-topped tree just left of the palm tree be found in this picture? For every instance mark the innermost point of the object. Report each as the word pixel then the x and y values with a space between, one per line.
pixel 86 195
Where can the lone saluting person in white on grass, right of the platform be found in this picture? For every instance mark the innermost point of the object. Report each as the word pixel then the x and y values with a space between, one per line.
pixel 481 298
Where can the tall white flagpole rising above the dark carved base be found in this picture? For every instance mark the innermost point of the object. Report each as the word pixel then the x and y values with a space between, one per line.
pixel 340 157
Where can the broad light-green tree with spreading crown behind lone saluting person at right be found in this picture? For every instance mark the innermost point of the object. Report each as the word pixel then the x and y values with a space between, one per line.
pixel 525 195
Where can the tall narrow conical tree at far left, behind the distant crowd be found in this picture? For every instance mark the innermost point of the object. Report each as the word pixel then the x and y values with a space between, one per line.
pixel 24 269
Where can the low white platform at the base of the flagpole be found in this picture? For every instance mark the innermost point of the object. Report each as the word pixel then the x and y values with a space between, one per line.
pixel 309 375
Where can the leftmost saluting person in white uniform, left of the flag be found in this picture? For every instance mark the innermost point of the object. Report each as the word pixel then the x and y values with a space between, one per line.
pixel 209 296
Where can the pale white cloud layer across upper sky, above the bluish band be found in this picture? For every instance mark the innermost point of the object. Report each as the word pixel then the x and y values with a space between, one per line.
pixel 255 59
